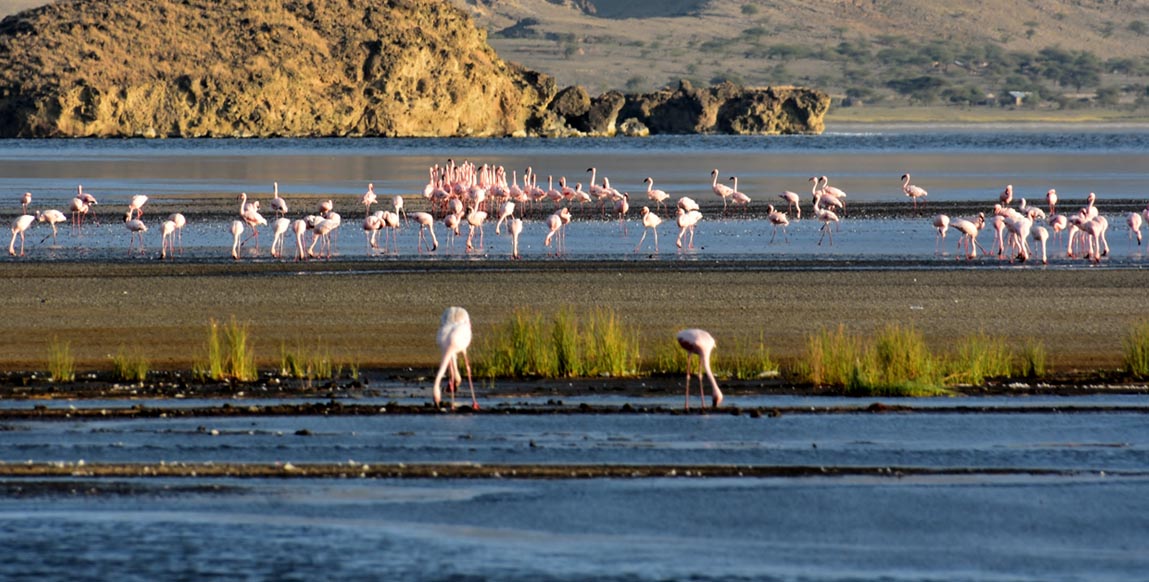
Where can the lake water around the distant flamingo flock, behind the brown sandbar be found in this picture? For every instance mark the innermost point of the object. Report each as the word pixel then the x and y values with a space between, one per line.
pixel 963 170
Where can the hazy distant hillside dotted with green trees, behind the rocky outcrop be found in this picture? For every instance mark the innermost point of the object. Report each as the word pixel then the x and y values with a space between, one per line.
pixel 1059 53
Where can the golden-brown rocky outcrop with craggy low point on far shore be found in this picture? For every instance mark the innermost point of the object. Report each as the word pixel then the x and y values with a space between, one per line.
pixel 319 68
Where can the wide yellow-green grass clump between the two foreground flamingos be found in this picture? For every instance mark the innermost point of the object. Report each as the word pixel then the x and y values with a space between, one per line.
pixel 570 345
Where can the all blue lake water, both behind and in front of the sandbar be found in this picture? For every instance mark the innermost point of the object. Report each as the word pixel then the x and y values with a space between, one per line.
pixel 1009 519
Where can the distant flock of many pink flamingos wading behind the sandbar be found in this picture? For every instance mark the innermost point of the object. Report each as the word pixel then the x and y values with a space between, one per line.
pixel 471 195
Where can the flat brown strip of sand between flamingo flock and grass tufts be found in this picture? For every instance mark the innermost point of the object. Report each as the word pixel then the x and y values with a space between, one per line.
pixel 385 316
